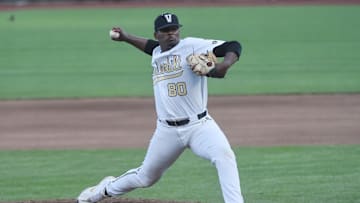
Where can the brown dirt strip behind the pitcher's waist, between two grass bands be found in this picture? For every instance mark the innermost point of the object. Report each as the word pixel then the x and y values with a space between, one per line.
pixel 130 122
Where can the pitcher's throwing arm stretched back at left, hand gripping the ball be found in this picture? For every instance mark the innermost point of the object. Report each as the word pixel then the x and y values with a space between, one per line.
pixel 143 44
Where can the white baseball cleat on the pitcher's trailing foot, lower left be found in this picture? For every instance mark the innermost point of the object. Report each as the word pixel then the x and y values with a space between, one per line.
pixel 95 193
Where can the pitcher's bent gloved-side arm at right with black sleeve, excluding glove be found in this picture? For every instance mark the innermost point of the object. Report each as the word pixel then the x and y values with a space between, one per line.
pixel 231 52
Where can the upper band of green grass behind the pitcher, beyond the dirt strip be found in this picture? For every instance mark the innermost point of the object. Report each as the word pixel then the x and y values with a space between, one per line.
pixel 67 52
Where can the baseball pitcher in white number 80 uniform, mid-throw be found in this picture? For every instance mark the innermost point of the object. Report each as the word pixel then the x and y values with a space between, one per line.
pixel 181 68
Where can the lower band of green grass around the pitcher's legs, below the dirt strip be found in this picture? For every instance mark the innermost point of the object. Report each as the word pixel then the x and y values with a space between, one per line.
pixel 322 174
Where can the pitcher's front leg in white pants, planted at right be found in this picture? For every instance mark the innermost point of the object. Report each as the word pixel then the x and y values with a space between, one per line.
pixel 209 142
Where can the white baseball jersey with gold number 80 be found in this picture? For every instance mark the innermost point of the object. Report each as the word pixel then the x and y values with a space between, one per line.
pixel 180 93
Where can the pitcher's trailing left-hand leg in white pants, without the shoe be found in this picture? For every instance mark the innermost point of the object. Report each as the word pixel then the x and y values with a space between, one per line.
pixel 164 148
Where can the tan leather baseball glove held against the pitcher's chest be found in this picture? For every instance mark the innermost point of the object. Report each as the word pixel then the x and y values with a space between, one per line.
pixel 201 64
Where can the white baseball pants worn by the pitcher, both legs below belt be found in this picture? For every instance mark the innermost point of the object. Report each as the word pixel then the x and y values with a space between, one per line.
pixel 204 138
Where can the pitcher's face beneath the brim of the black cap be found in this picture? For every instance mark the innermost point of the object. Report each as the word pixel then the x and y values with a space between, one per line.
pixel 168 37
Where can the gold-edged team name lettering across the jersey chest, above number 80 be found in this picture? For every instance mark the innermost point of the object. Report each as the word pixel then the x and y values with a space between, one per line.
pixel 167 68
